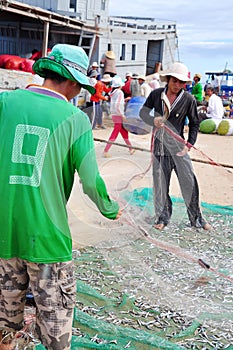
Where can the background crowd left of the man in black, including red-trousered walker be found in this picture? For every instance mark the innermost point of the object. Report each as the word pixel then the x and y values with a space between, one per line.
pixel 112 93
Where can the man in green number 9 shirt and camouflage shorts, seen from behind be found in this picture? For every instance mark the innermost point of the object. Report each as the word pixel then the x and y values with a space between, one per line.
pixel 44 140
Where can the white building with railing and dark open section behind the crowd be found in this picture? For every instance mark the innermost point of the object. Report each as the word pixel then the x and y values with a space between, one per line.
pixel 141 45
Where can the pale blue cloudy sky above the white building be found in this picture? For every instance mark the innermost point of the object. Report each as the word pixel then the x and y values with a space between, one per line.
pixel 204 28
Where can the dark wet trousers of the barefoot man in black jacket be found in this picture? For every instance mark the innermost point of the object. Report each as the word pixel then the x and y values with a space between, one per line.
pixel 162 170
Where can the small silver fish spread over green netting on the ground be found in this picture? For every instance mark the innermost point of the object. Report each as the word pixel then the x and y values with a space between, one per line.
pixel 154 291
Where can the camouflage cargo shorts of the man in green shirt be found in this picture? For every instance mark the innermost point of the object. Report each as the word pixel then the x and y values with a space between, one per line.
pixel 54 289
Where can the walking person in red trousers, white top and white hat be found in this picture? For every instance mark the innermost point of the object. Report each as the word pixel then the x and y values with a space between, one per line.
pixel 117 112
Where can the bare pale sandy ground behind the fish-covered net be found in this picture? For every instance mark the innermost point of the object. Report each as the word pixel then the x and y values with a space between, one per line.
pixel 215 182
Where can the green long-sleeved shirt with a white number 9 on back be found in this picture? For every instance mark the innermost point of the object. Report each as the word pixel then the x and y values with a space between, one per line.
pixel 43 141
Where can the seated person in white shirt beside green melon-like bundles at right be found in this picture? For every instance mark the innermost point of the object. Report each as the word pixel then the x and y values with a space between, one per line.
pixel 215 107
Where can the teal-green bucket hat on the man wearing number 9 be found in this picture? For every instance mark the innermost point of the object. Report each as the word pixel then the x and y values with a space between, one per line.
pixel 69 61
